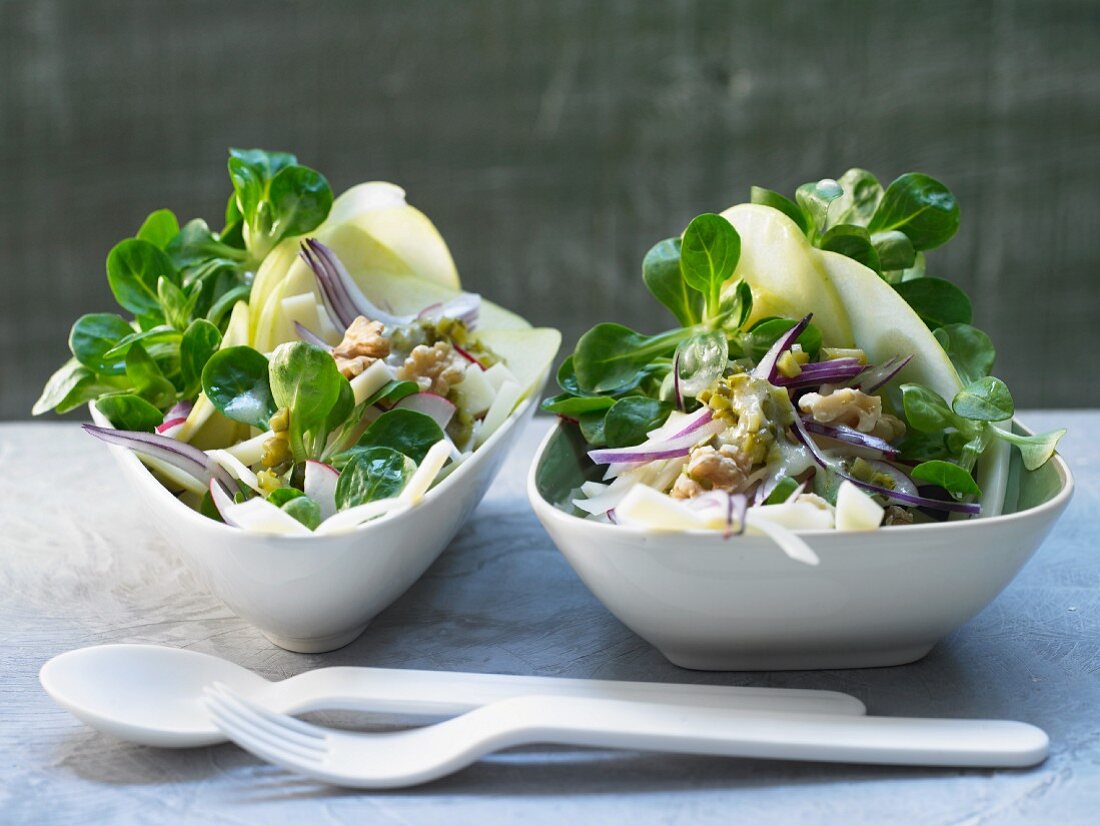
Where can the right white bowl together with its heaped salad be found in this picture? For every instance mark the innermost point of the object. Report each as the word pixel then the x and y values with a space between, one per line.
pixel 821 392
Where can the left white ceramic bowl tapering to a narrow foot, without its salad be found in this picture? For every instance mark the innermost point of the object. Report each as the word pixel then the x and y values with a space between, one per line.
pixel 313 594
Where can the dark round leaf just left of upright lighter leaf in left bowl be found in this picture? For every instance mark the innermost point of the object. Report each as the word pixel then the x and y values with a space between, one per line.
pixel 236 380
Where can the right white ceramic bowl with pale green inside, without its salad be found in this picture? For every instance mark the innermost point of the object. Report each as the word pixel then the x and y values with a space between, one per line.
pixel 877 599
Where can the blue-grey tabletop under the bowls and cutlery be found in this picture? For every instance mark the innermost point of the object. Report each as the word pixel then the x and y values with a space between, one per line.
pixel 81 565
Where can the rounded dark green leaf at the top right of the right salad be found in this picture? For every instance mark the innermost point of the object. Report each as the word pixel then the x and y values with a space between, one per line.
pixel 921 207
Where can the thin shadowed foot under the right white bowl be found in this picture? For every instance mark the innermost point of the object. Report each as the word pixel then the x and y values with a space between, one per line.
pixel 796 660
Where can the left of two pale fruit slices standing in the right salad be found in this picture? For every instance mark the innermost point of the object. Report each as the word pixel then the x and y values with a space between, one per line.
pixel 778 263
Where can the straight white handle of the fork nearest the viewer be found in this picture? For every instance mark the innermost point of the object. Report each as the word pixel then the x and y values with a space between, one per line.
pixel 818 737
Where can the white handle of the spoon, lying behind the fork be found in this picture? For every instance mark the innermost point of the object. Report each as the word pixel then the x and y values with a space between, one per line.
pixel 444 693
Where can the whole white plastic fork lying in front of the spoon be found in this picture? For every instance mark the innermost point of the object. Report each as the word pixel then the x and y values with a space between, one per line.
pixel 397 759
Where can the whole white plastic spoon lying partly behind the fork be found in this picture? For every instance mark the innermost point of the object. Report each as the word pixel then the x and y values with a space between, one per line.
pixel 153 695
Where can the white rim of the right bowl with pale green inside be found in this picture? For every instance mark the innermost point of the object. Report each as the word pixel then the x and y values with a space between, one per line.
pixel 547 510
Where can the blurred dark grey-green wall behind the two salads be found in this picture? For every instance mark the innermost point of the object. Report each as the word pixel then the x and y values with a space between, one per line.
pixel 554 142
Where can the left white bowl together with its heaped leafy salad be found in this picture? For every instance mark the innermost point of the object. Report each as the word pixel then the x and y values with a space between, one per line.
pixel 310 376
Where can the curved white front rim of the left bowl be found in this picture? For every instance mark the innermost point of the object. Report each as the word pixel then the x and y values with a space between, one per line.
pixel 203 523
